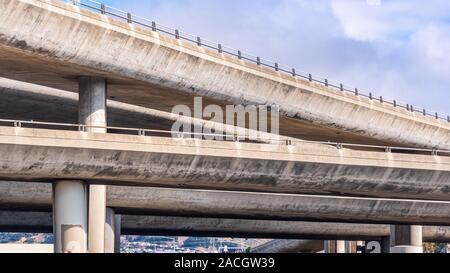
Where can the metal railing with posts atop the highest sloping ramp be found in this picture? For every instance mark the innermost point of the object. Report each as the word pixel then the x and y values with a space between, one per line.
pixel 223 49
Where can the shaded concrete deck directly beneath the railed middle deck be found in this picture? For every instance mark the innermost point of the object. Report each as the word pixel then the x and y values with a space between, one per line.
pixel 241 205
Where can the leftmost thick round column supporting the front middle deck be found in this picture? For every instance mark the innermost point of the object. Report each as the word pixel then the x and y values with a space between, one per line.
pixel 70 217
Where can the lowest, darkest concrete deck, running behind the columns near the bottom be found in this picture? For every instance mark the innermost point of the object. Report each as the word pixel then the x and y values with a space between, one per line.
pixel 25 221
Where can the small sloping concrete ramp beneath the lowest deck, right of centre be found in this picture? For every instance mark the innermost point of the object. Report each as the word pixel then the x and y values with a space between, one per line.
pixel 289 246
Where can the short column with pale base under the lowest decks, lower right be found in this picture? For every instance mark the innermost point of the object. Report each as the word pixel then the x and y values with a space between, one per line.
pixel 406 239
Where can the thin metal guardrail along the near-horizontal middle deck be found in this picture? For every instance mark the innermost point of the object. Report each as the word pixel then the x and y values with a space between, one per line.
pixel 226 137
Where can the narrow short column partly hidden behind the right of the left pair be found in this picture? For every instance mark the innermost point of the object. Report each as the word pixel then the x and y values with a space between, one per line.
pixel 112 232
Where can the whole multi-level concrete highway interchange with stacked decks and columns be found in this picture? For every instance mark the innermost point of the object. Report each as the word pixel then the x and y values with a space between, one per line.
pixel 77 168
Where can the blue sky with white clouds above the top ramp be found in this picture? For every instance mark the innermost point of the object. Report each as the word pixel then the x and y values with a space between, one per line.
pixel 396 48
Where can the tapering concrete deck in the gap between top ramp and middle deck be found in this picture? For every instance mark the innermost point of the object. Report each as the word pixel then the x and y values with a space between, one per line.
pixel 26 101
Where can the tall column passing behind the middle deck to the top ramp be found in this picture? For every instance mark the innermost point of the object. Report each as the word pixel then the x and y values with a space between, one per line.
pixel 92 112
